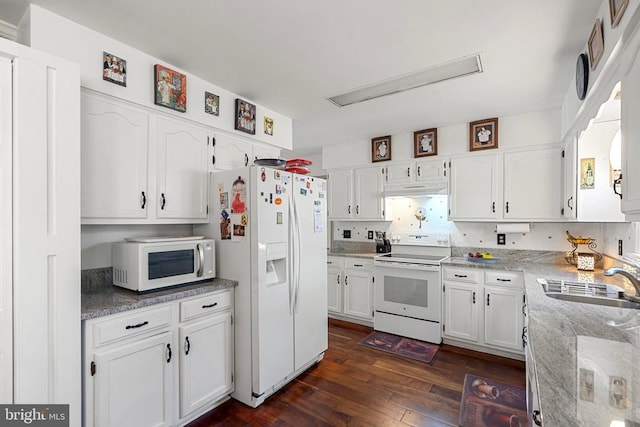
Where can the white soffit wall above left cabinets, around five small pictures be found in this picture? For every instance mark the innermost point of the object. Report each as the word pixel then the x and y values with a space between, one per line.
pixel 51 33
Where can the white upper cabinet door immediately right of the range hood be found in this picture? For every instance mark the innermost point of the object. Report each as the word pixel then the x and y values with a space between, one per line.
pixel 474 188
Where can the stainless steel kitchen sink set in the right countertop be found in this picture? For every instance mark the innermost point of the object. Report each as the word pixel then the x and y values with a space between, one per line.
pixel 588 293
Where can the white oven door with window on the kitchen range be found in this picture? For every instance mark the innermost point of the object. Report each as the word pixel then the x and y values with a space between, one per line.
pixel 411 290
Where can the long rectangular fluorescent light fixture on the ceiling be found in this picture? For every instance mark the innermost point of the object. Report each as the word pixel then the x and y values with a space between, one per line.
pixel 449 70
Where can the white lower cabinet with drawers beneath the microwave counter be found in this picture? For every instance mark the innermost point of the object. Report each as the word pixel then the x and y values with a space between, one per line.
pixel 163 365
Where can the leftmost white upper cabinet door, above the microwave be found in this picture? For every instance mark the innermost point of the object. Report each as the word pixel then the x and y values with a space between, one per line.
pixel 114 151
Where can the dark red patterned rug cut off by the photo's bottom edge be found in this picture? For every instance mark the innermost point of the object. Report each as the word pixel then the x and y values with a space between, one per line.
pixel 489 403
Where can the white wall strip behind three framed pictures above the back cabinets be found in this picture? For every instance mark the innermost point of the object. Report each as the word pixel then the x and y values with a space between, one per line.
pixel 519 131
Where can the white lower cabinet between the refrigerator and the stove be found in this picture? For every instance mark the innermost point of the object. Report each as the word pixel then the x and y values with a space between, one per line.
pixel 350 288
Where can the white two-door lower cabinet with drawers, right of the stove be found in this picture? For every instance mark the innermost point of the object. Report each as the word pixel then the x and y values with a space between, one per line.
pixel 483 310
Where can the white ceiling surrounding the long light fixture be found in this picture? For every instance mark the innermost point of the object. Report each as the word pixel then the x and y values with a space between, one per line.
pixel 291 55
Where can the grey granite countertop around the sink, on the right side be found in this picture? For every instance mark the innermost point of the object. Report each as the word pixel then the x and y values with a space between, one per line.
pixel 582 352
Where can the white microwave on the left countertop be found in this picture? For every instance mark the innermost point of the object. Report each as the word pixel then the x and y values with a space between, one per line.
pixel 145 264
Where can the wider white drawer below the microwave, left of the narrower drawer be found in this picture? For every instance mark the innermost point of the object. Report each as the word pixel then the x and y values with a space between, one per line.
pixel 137 322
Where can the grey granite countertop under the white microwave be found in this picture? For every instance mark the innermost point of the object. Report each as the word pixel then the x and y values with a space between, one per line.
pixel 98 301
